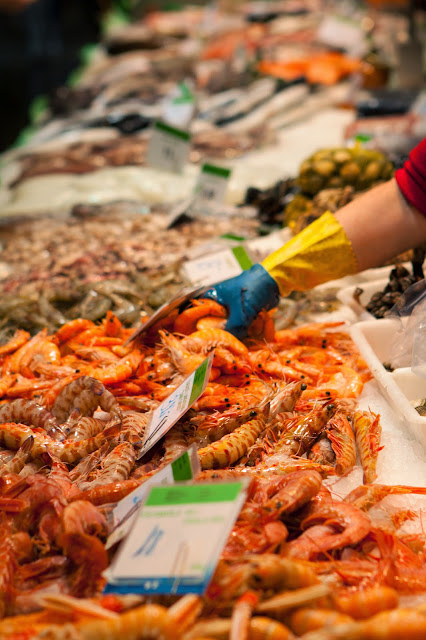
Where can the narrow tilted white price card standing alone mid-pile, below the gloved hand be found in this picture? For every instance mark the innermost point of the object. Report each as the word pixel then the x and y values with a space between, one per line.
pixel 178 403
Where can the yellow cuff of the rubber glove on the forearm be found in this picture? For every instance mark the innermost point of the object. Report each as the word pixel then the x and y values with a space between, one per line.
pixel 319 253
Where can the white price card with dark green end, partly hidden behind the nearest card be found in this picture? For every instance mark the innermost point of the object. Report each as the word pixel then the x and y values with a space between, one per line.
pixel 185 467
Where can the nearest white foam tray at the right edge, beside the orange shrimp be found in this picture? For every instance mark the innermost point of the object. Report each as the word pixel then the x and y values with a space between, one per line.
pixel 374 339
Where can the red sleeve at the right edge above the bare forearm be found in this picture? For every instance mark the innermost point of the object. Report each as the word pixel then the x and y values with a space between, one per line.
pixel 411 178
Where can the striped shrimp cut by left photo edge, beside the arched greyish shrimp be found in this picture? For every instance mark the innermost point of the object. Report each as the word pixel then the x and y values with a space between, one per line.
pixel 32 414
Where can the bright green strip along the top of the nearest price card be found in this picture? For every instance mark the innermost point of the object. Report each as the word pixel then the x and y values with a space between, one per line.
pixel 193 494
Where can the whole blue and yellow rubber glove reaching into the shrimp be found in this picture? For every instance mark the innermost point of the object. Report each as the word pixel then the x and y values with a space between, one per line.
pixel 319 253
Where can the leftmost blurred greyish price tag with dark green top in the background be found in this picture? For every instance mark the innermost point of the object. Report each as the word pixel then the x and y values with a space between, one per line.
pixel 168 148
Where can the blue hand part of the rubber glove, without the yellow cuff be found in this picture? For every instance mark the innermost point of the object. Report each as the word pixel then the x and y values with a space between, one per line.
pixel 245 296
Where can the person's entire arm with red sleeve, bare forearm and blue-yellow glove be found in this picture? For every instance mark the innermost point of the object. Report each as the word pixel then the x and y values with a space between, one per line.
pixel 373 228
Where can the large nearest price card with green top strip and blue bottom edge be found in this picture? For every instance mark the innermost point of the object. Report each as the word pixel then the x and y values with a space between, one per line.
pixel 176 539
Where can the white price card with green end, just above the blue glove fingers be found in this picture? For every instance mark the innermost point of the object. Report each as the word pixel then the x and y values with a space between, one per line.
pixel 217 266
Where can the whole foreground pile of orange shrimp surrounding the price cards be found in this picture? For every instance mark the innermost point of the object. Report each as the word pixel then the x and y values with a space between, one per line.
pixel 279 408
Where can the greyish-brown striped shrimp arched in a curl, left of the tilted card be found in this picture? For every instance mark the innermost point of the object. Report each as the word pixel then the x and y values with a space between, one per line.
pixel 84 395
